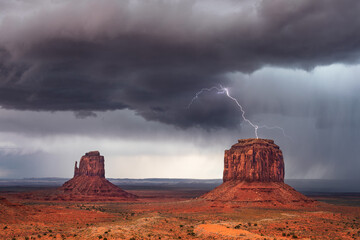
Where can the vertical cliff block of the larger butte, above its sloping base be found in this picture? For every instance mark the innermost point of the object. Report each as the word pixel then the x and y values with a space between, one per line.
pixel 254 160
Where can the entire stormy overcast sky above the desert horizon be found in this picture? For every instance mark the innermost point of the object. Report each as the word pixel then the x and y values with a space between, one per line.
pixel 118 76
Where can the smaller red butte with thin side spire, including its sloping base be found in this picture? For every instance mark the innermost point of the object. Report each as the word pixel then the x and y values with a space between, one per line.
pixel 89 181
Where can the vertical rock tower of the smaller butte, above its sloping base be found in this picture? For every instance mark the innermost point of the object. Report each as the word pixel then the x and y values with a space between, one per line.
pixel 91 164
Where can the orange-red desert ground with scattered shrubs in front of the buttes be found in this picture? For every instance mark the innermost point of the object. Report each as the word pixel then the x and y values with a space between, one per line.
pixel 175 214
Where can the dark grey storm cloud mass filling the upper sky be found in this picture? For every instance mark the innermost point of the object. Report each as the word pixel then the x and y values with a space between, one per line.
pixel 153 56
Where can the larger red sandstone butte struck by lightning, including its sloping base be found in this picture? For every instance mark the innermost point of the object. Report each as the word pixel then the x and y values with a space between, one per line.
pixel 254 175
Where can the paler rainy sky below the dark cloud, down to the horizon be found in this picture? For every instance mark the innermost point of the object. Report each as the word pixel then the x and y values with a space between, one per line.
pixel 318 110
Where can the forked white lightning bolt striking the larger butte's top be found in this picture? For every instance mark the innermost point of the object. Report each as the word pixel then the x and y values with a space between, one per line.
pixel 222 90
